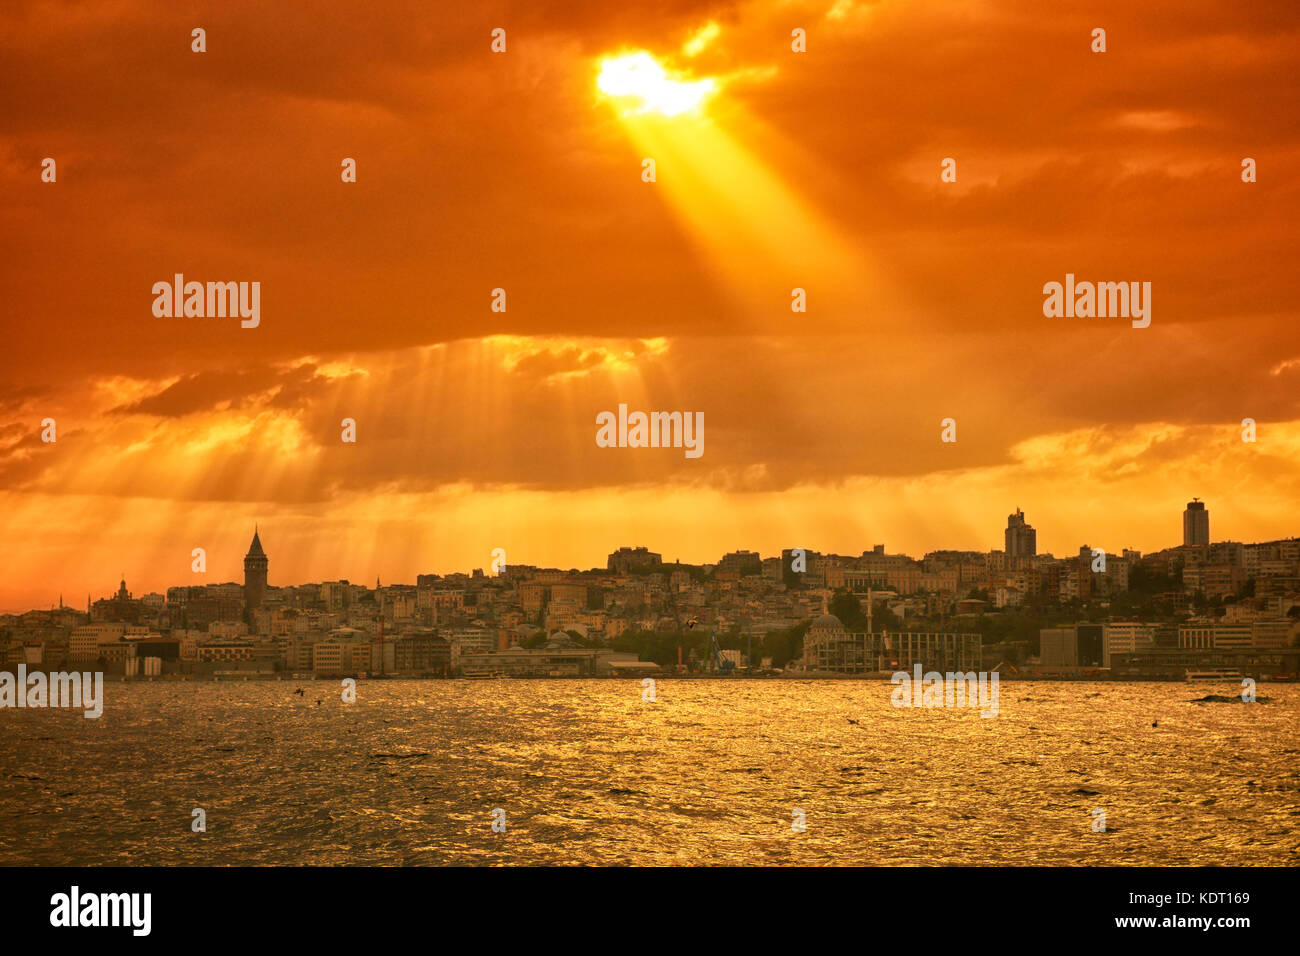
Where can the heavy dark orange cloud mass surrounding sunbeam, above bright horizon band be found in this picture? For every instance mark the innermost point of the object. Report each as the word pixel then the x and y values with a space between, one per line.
pixel 480 172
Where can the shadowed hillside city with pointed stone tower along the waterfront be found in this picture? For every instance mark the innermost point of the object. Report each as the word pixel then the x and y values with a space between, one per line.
pixel 1225 607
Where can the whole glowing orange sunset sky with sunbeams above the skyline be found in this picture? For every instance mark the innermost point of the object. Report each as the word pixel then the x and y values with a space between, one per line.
pixel 480 171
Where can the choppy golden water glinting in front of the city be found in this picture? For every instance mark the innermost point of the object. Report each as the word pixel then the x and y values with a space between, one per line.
pixel 712 773
